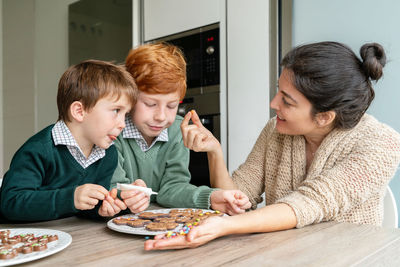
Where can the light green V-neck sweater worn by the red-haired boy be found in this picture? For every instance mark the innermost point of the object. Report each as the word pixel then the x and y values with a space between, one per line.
pixel 164 168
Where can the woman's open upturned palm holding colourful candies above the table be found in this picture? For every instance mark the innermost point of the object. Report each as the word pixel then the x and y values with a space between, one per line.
pixel 208 230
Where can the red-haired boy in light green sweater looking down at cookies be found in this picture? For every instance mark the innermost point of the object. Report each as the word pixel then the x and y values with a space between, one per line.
pixel 150 149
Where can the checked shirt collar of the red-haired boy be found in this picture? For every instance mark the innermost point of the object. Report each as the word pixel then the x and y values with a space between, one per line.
pixel 131 131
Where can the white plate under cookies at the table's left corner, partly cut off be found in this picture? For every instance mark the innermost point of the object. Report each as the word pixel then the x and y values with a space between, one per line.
pixel 64 239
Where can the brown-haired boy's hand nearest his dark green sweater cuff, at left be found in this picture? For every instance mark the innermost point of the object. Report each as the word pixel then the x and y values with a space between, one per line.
pixel 87 196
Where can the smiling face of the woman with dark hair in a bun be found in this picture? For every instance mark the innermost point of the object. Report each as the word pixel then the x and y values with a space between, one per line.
pixel 292 108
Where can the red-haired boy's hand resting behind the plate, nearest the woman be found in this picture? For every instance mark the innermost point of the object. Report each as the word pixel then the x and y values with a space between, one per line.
pixel 231 202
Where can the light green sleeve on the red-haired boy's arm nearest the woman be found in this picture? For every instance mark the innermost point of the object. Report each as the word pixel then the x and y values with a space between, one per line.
pixel 175 189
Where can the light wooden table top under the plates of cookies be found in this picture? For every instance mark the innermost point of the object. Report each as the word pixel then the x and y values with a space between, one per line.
pixel 325 244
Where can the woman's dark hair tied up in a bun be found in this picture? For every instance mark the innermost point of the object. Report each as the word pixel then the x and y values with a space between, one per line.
pixel 333 78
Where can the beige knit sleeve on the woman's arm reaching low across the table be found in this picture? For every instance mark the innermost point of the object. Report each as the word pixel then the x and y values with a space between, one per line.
pixel 361 174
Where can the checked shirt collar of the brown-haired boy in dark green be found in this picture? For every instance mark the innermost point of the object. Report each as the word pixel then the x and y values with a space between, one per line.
pixel 62 136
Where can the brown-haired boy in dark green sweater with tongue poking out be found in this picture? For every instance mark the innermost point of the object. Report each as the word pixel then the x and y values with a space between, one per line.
pixel 64 169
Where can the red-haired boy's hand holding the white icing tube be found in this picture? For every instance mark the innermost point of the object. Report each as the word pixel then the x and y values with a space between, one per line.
pixel 136 200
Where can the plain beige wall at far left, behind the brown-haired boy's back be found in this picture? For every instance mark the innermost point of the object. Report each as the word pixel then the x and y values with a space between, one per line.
pixel 35 55
